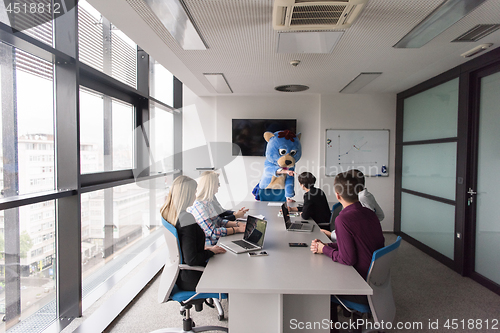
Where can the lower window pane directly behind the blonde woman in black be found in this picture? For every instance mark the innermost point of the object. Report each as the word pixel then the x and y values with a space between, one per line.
pixel 117 224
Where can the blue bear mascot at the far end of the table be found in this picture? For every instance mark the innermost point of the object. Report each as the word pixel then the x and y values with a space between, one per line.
pixel 282 152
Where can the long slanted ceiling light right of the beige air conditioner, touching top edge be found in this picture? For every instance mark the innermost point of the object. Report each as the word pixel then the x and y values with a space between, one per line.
pixel 443 17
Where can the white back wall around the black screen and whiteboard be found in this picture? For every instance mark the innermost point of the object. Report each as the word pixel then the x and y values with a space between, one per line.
pixel 208 119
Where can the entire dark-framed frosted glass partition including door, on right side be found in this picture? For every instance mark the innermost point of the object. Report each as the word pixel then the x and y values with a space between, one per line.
pixel 446 158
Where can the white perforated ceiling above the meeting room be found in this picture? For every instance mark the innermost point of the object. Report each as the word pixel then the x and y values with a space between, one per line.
pixel 242 45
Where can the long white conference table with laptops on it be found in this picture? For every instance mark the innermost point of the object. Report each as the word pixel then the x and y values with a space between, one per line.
pixel 276 293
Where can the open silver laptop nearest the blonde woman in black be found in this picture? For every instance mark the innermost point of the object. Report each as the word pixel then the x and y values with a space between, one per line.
pixel 253 238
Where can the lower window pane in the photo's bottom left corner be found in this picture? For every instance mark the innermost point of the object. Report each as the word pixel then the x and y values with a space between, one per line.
pixel 27 274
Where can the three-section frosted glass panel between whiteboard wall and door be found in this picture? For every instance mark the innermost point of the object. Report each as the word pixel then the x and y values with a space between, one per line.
pixel 429 152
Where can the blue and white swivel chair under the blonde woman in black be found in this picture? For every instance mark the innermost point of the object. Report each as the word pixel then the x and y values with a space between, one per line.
pixel 169 291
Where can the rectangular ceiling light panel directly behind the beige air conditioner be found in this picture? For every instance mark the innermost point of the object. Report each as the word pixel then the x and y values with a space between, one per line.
pixel 308 41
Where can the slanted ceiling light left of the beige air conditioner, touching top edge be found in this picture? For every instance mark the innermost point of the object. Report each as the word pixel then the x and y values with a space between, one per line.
pixel 175 17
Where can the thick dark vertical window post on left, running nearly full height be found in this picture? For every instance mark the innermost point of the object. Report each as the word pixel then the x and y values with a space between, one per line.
pixel 68 219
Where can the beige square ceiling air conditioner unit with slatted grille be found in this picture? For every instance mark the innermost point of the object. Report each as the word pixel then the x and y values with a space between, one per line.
pixel 307 15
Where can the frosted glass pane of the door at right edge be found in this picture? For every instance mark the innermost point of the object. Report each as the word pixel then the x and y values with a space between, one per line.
pixel 488 181
